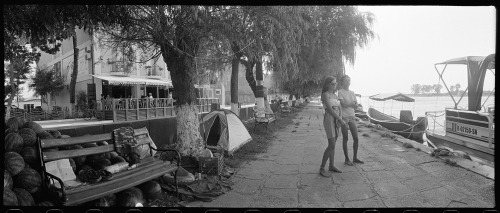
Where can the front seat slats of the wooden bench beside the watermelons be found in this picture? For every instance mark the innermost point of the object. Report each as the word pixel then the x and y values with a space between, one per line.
pixel 117 184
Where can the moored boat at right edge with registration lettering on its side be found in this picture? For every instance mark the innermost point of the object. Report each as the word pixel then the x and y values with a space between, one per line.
pixel 471 129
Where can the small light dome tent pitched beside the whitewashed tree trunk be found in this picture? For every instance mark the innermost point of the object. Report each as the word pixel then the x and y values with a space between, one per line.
pixel 224 128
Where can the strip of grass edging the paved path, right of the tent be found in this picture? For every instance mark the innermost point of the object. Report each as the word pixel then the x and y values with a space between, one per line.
pixel 262 139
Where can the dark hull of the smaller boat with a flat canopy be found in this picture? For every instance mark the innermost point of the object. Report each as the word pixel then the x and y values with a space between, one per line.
pixel 393 124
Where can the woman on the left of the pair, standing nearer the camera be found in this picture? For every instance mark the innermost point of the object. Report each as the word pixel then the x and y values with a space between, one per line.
pixel 331 122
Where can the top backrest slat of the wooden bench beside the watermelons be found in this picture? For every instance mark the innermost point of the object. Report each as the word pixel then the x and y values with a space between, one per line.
pixel 50 143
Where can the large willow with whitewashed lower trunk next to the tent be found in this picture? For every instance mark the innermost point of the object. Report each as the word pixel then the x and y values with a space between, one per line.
pixel 176 34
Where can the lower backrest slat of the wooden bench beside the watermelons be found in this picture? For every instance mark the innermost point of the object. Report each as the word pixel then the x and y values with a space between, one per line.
pixel 57 155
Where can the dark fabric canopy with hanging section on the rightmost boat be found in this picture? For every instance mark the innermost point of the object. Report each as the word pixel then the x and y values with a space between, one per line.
pixel 476 71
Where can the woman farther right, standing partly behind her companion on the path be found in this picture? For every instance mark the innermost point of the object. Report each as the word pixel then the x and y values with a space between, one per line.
pixel 348 102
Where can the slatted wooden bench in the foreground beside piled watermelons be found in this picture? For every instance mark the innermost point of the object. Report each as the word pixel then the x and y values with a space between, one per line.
pixel 149 168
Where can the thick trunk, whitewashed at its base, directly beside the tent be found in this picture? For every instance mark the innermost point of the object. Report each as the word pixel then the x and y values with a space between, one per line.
pixel 182 70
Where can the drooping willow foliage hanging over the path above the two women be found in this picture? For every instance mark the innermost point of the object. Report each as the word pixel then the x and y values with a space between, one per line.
pixel 335 34
